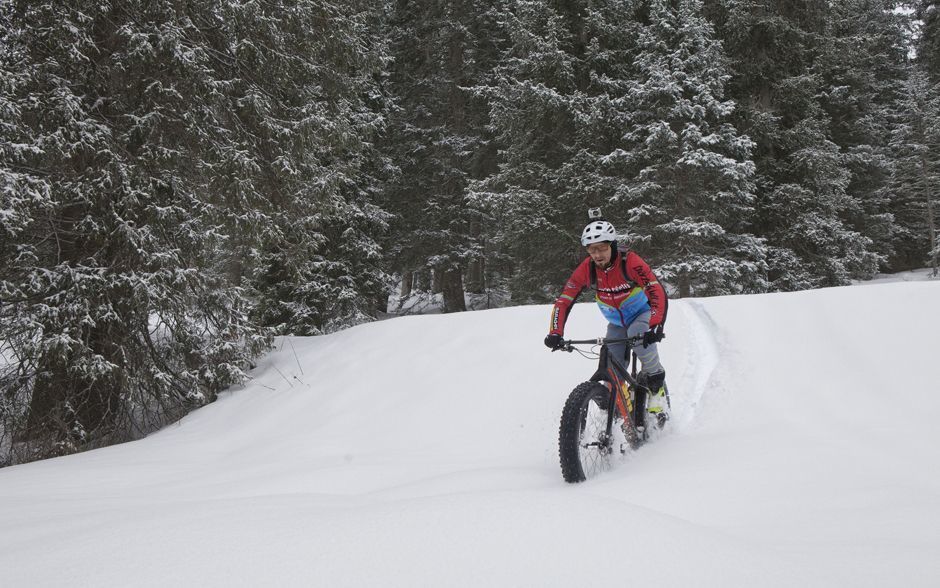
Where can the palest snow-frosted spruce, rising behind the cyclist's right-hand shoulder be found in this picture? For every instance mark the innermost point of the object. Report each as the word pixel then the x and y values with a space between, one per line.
pixel 692 196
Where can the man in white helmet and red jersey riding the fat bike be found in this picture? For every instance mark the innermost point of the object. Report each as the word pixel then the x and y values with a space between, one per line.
pixel 630 298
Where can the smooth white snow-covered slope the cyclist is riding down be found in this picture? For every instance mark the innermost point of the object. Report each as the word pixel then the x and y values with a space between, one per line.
pixel 422 451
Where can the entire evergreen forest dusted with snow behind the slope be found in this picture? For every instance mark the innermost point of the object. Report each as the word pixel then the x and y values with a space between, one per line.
pixel 181 182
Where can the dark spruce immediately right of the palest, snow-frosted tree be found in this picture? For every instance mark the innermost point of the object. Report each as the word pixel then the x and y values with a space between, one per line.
pixel 802 177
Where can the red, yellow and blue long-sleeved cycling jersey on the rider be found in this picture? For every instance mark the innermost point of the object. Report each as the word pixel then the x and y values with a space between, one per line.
pixel 620 297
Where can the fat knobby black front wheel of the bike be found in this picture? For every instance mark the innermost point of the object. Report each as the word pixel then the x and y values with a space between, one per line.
pixel 584 444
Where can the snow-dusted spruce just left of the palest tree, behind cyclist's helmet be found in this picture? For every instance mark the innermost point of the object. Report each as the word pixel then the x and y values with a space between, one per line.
pixel 558 114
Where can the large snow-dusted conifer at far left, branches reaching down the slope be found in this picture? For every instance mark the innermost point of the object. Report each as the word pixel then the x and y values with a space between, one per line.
pixel 111 135
